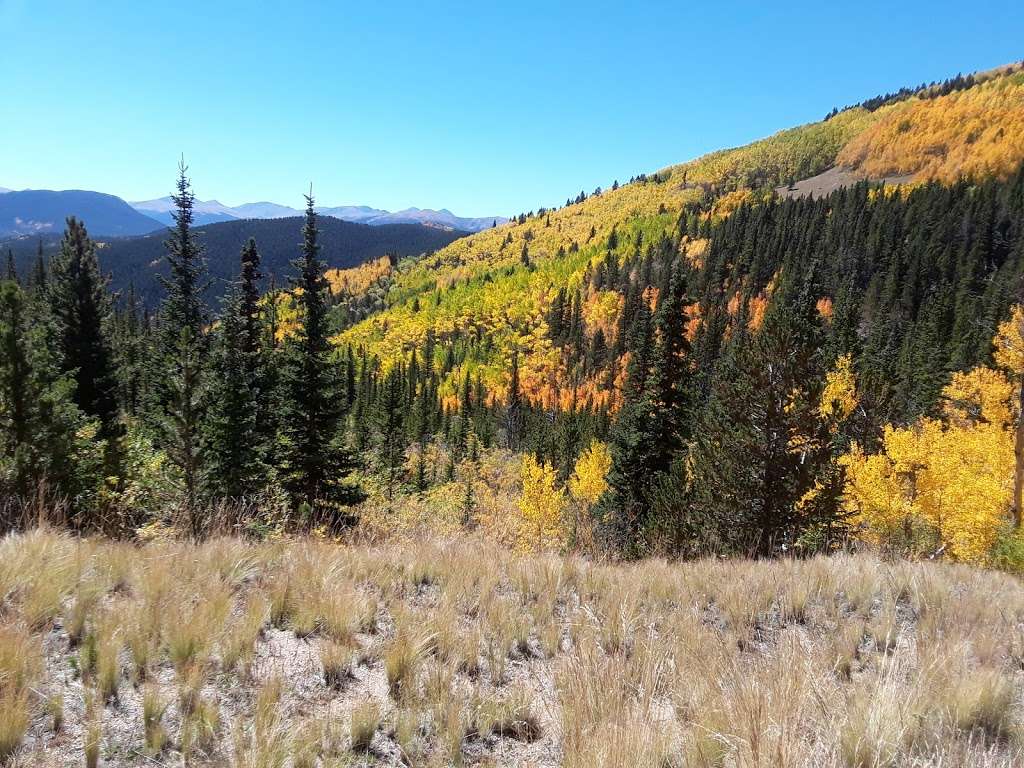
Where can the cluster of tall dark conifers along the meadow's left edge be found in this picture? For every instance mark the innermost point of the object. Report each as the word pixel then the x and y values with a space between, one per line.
pixel 120 418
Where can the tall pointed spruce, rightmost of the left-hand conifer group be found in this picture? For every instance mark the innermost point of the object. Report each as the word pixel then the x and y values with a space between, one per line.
pixel 314 457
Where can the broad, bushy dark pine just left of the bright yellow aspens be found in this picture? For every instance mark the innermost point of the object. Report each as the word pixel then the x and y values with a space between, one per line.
pixel 761 443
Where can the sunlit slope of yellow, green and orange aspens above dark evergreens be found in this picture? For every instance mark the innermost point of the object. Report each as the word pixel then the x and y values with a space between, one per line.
pixel 497 285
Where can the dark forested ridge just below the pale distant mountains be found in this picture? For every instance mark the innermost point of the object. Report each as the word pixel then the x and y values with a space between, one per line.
pixel 140 262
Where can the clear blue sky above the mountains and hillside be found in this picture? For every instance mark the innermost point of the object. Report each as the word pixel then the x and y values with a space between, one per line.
pixel 481 111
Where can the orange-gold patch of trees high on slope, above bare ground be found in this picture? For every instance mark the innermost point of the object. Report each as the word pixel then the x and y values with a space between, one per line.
pixel 970 133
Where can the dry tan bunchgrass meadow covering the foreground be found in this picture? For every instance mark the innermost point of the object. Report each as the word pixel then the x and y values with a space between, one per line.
pixel 306 654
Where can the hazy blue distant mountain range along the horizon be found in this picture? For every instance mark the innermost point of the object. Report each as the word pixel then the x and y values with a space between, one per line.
pixel 42 211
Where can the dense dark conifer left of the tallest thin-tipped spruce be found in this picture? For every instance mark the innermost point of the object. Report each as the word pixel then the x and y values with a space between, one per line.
pixel 83 315
